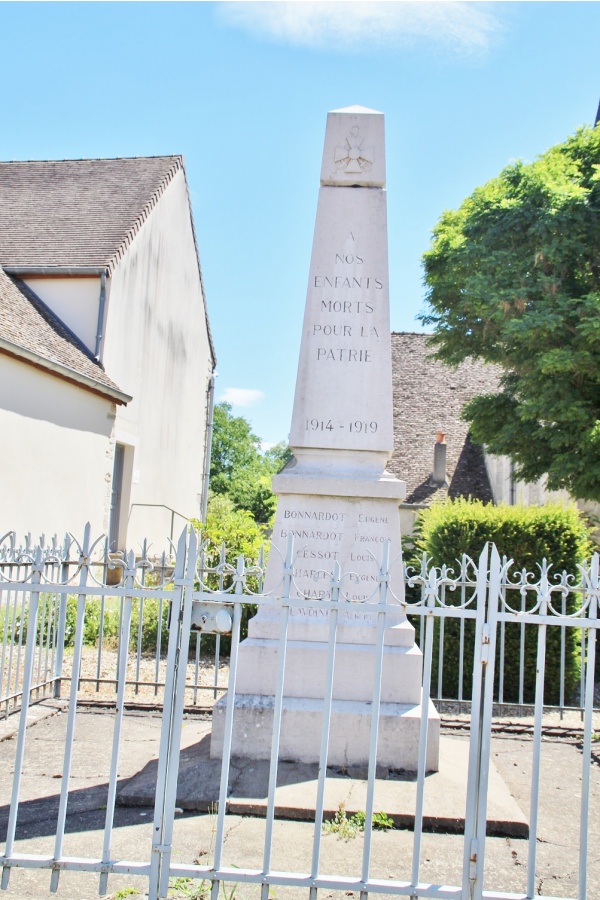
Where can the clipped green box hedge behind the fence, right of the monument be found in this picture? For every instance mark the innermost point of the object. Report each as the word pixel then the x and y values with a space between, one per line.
pixel 526 534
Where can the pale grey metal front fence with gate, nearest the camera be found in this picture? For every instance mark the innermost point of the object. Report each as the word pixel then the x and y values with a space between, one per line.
pixel 480 597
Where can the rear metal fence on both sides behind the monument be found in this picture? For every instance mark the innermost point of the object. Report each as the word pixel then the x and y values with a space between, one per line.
pixel 451 683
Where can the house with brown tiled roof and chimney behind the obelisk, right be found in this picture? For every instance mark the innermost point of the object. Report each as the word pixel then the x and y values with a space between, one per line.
pixel 433 451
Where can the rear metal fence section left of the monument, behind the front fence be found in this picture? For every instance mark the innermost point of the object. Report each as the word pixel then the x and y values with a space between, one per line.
pixel 58 565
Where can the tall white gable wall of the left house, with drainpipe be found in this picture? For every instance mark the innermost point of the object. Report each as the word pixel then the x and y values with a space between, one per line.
pixel 156 348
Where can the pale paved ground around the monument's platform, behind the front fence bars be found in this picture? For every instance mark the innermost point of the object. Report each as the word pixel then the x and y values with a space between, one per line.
pixel 507 860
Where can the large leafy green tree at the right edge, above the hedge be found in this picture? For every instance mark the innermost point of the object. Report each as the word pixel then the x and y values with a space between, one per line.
pixel 513 277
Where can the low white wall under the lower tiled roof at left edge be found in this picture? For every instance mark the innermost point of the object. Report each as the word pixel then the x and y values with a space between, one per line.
pixel 56 454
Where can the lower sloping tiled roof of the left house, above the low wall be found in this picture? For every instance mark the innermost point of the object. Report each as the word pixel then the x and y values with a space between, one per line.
pixel 30 330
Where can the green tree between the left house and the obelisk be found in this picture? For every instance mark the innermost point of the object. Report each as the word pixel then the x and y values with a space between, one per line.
pixel 239 470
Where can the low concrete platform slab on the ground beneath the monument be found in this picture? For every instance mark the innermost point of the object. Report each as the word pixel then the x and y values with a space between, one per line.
pixel 395 793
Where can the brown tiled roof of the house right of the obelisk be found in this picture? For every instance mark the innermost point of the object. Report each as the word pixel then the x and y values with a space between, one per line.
pixel 429 397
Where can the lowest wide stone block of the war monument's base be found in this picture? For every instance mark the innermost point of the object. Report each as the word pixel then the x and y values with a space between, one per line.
pixel 349 736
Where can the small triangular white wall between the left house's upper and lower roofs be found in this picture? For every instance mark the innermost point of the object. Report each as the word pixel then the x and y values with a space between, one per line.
pixel 74 300
